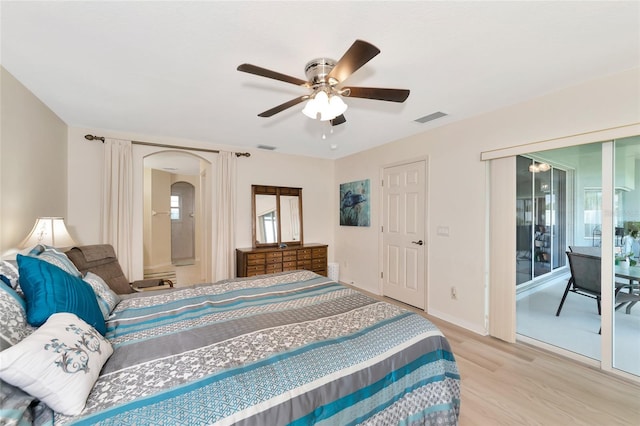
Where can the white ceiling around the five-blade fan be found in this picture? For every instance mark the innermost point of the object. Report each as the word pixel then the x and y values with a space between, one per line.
pixel 168 69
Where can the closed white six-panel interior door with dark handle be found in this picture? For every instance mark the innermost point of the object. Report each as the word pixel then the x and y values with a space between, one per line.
pixel 403 233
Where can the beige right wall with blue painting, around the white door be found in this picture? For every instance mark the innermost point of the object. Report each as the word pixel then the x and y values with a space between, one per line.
pixel 458 190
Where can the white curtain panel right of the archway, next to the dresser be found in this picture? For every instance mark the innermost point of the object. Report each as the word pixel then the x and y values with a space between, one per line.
pixel 225 206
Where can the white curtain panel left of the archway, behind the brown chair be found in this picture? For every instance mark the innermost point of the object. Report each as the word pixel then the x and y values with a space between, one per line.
pixel 117 200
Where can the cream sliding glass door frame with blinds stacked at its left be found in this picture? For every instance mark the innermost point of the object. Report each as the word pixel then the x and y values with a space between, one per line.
pixel 501 288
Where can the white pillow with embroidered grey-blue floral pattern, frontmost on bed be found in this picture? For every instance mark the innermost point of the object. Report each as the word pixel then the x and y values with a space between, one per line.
pixel 58 363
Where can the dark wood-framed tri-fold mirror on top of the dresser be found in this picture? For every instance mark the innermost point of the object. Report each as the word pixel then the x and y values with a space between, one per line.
pixel 277 215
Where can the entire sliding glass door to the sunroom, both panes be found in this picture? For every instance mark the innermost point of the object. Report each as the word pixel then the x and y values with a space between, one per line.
pixel 570 206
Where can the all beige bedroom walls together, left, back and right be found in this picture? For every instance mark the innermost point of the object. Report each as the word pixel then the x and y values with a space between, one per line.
pixel 457 191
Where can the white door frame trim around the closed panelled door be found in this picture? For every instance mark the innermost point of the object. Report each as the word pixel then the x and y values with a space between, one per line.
pixel 427 239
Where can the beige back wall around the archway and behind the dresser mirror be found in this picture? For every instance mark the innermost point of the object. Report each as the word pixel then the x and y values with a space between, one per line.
pixel 315 176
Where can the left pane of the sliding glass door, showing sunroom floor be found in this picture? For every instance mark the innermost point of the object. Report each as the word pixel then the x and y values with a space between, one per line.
pixel 563 215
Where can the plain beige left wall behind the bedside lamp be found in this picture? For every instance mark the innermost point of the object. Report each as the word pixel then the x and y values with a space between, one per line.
pixel 33 163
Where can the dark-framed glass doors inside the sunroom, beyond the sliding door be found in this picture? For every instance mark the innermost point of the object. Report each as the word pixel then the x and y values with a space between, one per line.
pixel 541 219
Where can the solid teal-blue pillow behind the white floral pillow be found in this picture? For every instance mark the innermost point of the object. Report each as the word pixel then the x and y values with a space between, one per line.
pixel 49 289
